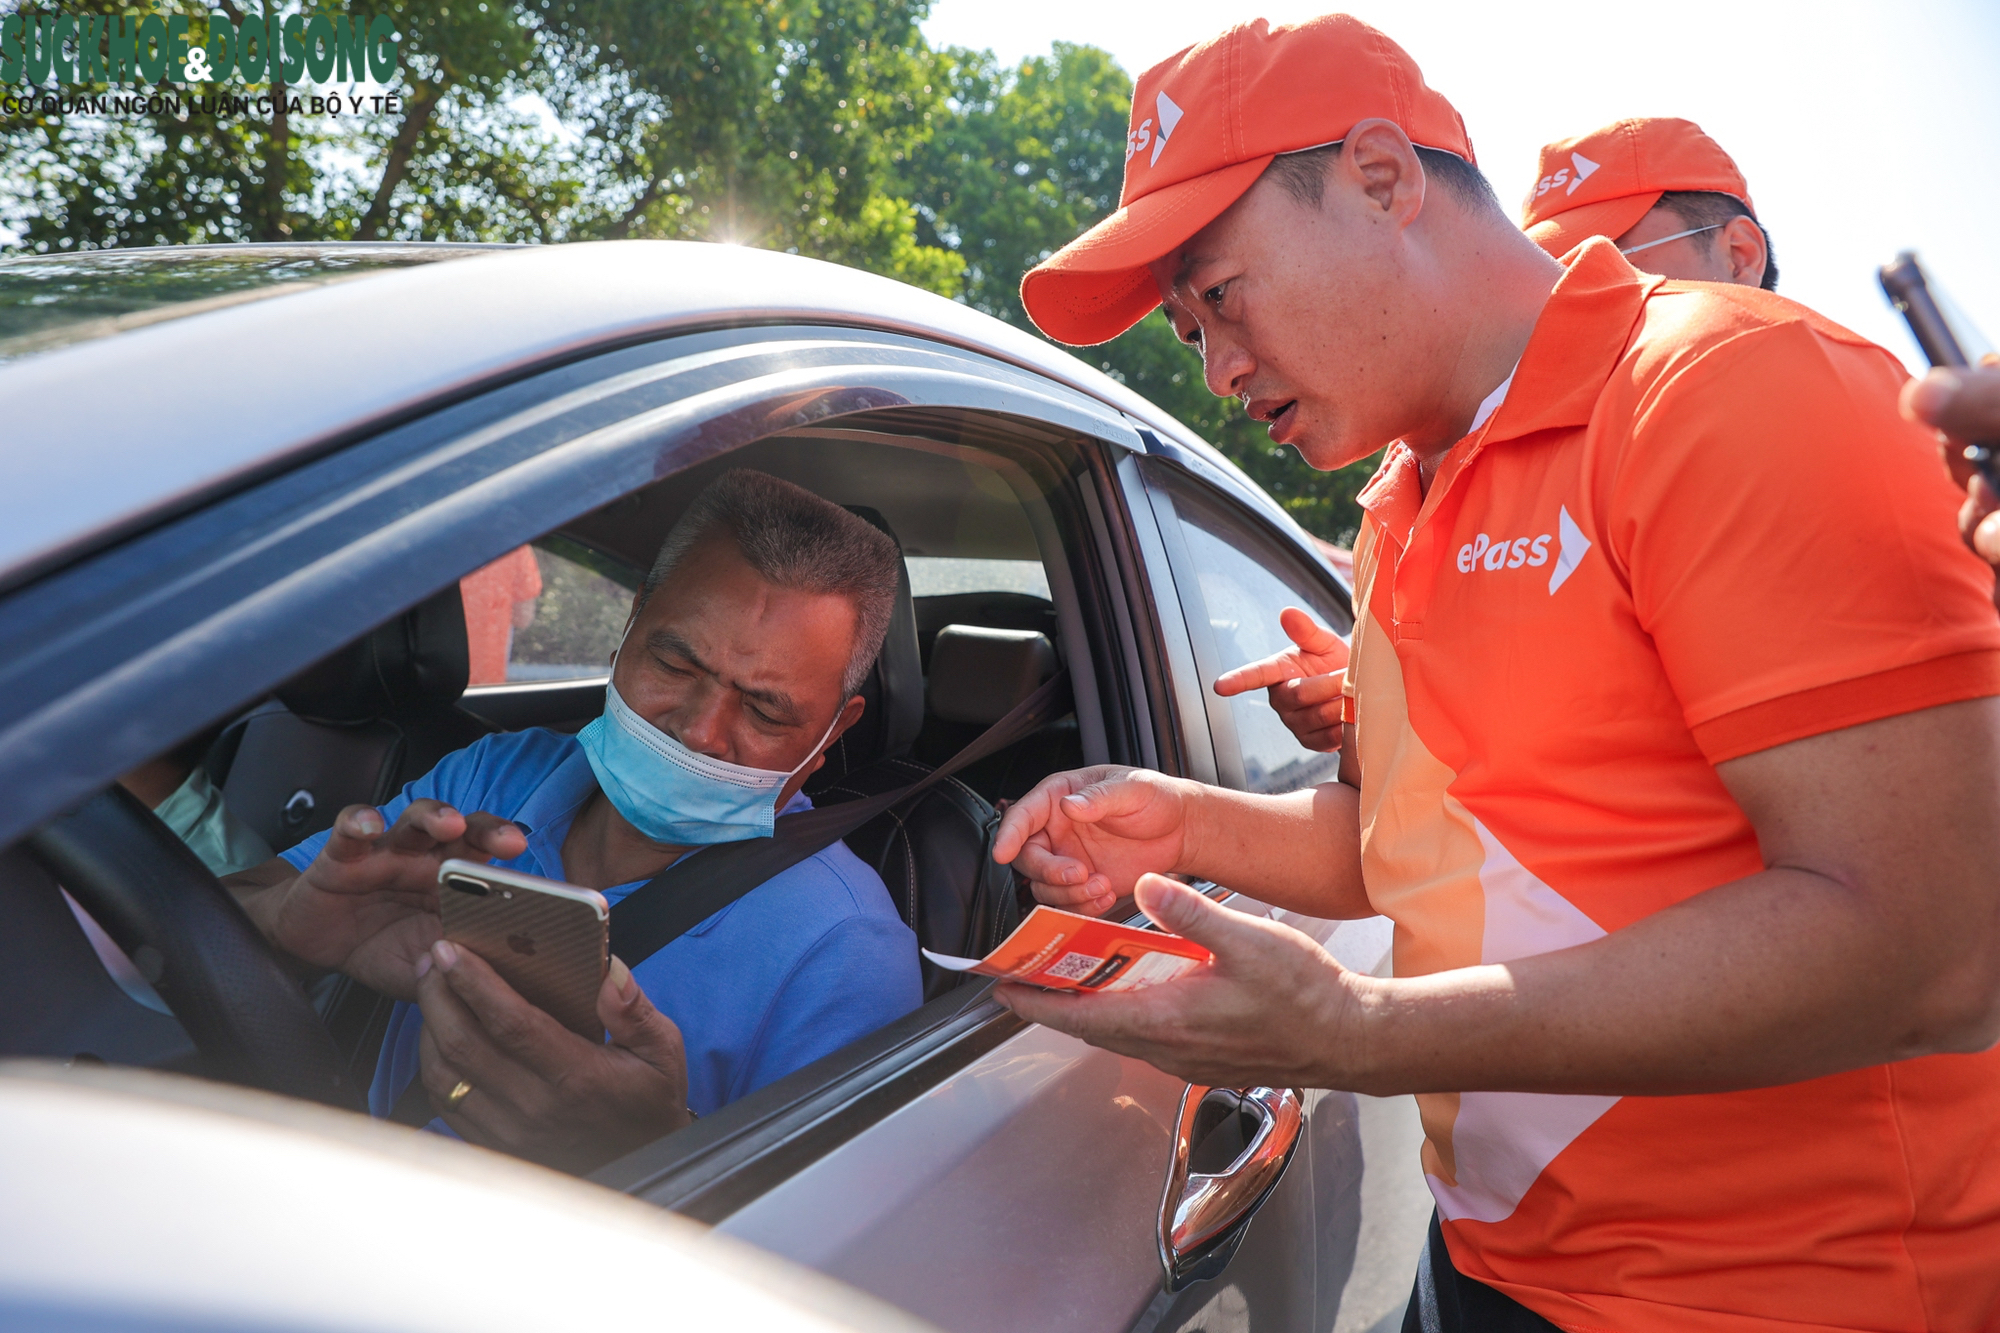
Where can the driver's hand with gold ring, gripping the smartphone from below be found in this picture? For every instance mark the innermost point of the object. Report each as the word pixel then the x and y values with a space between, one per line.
pixel 539 1090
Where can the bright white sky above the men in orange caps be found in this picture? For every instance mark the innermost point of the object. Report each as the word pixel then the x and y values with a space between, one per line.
pixel 1863 129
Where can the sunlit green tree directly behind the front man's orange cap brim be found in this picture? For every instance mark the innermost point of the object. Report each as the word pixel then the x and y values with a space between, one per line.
pixel 1027 163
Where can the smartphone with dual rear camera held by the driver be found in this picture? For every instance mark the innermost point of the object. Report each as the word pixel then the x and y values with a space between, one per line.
pixel 547 940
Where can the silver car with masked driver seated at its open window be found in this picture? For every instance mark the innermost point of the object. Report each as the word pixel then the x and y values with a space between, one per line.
pixel 251 497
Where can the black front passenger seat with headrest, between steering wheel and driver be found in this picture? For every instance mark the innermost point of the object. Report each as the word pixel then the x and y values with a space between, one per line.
pixel 353 728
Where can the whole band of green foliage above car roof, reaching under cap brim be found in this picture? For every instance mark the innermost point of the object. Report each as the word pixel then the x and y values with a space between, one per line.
pixel 819 127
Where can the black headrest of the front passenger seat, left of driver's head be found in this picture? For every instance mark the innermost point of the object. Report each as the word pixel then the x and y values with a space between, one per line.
pixel 415 659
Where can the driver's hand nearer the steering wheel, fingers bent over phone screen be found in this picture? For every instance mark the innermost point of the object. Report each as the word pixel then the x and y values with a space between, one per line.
pixel 369 902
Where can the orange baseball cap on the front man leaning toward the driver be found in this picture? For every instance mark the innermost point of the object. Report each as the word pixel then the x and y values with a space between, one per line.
pixel 1205 127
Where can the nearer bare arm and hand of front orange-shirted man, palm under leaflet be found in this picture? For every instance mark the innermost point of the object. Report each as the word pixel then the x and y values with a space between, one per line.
pixel 1873 936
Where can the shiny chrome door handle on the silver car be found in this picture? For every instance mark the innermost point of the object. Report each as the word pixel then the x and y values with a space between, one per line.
pixel 1231 1148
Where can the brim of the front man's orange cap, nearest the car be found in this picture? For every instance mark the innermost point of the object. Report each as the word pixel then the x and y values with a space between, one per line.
pixel 1099 285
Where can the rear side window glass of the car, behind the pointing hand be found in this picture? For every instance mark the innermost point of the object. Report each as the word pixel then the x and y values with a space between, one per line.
pixel 1245 581
